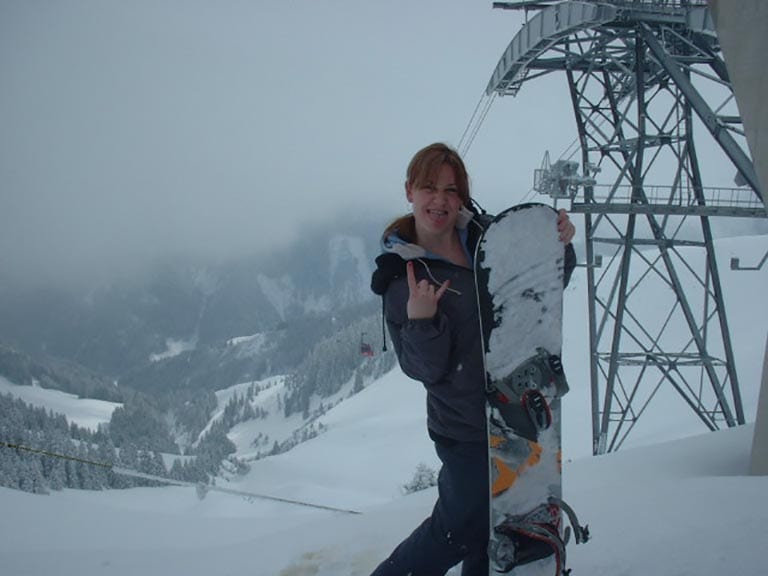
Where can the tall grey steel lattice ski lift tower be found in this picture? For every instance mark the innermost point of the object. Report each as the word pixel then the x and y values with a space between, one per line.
pixel 657 130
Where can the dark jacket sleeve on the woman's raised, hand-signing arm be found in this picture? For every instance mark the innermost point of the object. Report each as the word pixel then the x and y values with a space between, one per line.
pixel 423 346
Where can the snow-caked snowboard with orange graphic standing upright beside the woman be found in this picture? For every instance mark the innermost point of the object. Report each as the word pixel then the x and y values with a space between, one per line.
pixel 519 270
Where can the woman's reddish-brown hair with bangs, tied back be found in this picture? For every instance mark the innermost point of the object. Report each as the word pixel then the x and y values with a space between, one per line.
pixel 424 167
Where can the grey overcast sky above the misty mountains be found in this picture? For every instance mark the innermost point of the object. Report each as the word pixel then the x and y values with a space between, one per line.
pixel 134 128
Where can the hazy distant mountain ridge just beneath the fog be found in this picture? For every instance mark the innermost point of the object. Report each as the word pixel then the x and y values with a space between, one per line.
pixel 130 327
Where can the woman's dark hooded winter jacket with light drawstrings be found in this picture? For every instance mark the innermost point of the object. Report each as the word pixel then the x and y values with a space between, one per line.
pixel 444 352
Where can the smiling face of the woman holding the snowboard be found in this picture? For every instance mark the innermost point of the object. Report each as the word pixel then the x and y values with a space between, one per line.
pixel 436 203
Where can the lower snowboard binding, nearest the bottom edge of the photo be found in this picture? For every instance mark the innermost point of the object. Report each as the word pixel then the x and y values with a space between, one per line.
pixel 533 536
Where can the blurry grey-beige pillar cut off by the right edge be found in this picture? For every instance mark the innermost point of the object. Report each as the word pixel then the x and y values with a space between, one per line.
pixel 741 28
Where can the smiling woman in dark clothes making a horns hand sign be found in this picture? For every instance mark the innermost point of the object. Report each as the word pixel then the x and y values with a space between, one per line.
pixel 426 279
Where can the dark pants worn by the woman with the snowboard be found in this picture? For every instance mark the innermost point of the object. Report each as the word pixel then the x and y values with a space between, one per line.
pixel 457 530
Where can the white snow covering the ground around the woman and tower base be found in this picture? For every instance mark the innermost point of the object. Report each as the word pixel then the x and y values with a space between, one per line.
pixel 676 500
